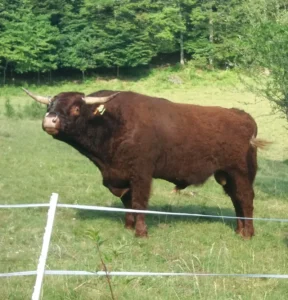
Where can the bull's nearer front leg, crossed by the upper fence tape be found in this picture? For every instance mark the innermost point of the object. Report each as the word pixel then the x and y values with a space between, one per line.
pixel 140 195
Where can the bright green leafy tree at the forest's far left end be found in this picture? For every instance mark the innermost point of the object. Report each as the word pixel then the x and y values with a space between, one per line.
pixel 28 41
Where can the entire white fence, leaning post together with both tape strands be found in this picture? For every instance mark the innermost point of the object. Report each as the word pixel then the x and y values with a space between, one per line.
pixel 48 230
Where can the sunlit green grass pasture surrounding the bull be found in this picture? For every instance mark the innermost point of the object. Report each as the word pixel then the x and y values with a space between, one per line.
pixel 33 165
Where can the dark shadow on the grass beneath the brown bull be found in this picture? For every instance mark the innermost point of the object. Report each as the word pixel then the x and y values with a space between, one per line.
pixel 154 220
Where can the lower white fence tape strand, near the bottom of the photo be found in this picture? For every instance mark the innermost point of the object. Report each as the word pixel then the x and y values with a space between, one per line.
pixel 141 274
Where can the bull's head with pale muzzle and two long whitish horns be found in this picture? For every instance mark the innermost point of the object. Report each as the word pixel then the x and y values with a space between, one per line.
pixel 64 109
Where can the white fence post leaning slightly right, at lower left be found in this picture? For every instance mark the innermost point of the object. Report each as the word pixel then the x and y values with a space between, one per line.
pixel 45 247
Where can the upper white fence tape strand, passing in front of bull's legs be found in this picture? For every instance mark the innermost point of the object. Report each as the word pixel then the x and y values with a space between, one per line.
pixel 115 209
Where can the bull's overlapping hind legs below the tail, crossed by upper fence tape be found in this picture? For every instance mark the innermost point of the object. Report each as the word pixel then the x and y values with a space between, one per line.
pixel 240 190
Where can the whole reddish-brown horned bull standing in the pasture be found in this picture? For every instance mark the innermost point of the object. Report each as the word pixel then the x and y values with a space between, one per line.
pixel 133 138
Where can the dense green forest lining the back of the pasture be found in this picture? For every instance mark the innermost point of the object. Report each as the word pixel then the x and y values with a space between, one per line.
pixel 56 35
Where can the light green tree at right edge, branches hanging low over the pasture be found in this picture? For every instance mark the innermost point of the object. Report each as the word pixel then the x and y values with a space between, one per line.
pixel 264 52
